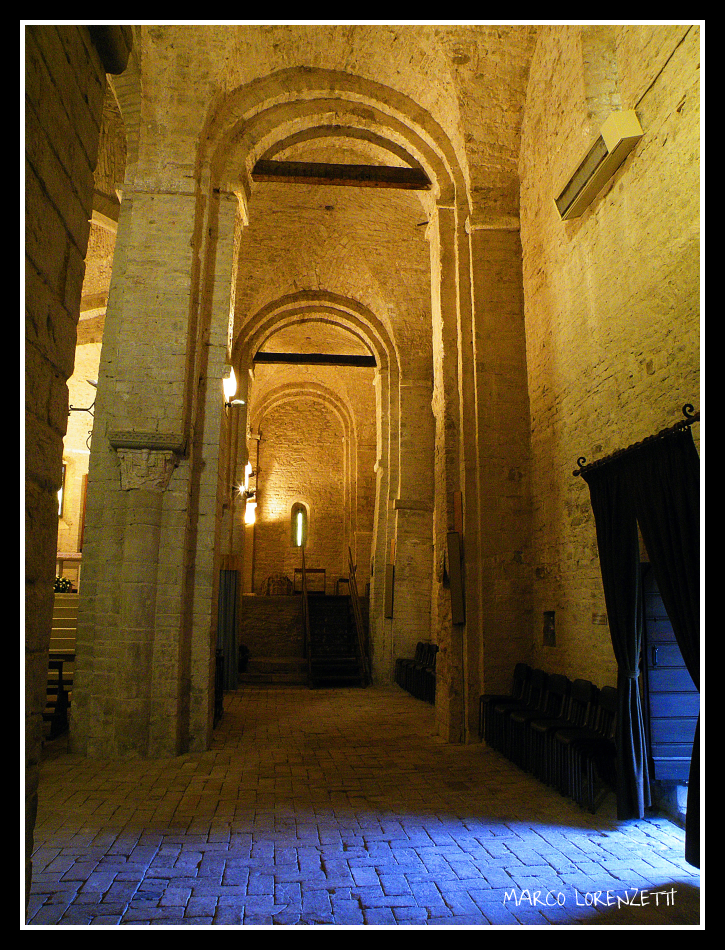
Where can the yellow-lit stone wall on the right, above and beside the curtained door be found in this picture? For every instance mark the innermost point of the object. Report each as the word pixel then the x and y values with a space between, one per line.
pixel 611 297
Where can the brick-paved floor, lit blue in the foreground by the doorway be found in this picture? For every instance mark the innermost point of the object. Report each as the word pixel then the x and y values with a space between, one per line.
pixel 340 808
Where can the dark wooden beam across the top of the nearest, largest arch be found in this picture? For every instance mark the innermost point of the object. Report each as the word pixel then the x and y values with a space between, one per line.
pixel 360 176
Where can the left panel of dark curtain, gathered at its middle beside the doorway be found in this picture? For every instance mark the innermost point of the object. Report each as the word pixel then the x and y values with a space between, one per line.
pixel 618 543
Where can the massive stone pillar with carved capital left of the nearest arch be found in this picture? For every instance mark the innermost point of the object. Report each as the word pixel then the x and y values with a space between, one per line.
pixel 160 390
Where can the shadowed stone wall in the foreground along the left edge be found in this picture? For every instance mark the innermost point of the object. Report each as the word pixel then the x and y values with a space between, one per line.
pixel 65 85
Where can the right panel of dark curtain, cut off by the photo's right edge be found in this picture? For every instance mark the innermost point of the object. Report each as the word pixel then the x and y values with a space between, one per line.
pixel 664 476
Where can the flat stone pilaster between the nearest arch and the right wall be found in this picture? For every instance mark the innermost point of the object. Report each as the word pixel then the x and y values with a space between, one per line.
pixel 503 469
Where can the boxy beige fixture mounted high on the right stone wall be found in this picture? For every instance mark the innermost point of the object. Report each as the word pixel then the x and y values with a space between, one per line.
pixel 619 135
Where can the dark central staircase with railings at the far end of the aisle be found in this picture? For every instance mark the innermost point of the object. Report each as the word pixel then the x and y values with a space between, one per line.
pixel 334 657
